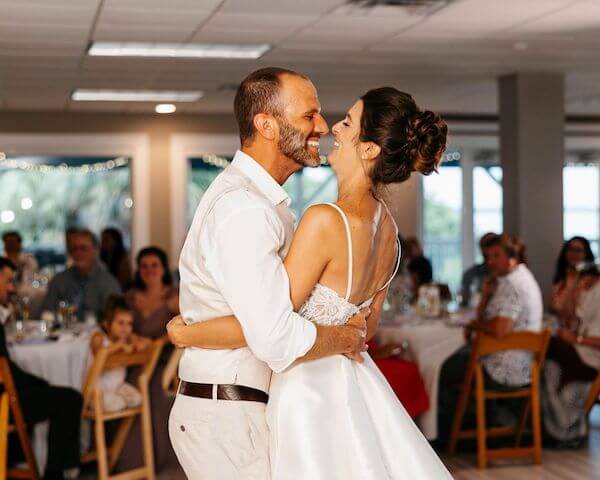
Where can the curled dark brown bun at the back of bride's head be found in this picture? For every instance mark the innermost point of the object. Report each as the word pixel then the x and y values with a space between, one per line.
pixel 427 141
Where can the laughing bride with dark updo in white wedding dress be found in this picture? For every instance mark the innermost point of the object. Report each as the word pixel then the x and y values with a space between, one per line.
pixel 335 418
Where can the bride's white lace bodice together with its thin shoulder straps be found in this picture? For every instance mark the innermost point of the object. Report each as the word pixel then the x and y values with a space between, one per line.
pixel 325 306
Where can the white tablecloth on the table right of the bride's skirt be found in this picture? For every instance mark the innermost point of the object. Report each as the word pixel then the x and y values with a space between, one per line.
pixel 431 342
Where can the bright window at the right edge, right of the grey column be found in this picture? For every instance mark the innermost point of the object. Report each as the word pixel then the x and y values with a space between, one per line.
pixel 581 197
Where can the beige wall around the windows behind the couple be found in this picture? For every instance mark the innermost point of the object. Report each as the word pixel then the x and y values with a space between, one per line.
pixel 402 199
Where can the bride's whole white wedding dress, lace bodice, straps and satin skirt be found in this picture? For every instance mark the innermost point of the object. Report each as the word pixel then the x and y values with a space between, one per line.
pixel 334 418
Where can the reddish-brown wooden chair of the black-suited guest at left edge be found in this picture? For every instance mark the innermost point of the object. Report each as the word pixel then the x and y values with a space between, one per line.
pixel 9 404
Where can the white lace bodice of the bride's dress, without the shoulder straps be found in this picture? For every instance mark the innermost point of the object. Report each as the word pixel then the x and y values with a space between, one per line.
pixel 326 307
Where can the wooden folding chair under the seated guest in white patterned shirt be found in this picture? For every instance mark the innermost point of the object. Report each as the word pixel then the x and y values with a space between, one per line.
pixel 536 343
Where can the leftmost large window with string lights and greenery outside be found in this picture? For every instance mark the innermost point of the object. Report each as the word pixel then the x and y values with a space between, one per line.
pixel 42 196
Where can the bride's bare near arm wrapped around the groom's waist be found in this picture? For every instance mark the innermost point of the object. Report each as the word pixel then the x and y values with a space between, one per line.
pixel 307 258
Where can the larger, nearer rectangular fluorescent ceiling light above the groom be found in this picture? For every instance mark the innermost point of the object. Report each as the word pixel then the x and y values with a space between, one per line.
pixel 179 50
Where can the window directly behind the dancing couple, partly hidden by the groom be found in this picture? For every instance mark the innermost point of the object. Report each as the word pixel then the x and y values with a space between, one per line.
pixel 305 188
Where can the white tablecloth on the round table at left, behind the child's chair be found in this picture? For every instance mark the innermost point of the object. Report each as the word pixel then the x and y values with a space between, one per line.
pixel 61 363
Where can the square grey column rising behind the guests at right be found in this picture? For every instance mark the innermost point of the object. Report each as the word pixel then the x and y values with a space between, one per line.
pixel 532 157
